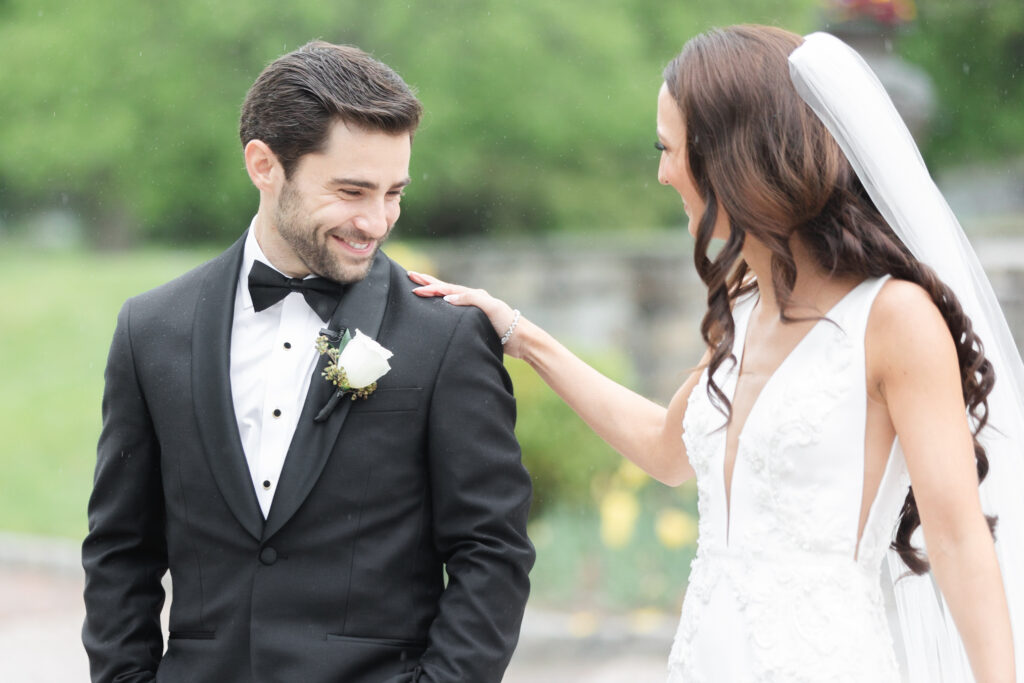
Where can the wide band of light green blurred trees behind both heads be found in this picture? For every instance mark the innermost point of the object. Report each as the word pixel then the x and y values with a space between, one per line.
pixel 540 115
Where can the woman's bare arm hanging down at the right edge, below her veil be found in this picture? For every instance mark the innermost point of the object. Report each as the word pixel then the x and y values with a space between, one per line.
pixel 919 378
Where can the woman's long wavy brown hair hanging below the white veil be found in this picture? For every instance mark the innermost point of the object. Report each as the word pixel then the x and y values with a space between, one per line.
pixel 758 151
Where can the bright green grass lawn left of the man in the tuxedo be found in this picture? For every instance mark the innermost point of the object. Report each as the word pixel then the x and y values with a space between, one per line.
pixel 58 314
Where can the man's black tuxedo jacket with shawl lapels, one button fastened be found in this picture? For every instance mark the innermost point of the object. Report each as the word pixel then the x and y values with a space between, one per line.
pixel 396 548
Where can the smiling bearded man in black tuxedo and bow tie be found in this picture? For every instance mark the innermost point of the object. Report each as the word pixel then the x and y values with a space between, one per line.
pixel 380 538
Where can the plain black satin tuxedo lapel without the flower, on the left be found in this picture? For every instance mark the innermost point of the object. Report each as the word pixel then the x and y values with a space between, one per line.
pixel 211 385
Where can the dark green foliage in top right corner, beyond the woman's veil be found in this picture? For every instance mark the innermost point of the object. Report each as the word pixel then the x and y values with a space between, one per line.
pixel 975 54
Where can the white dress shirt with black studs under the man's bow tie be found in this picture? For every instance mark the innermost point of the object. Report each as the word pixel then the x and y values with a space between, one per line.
pixel 273 359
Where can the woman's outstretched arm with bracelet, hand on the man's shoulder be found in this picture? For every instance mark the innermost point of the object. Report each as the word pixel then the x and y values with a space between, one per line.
pixel 639 430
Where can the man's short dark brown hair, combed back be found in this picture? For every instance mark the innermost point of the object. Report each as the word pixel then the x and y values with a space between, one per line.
pixel 293 104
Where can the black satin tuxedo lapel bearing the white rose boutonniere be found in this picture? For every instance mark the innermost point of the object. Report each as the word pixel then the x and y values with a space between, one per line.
pixel 363 309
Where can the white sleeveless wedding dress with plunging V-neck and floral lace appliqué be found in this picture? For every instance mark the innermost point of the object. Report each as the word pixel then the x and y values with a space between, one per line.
pixel 780 590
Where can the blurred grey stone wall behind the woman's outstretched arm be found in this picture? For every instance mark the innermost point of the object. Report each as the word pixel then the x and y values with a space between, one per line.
pixel 643 300
